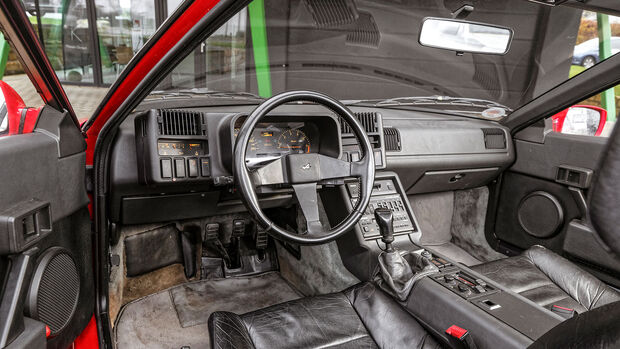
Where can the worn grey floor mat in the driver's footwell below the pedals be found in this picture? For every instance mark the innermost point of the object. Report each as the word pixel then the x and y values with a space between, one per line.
pixel 178 316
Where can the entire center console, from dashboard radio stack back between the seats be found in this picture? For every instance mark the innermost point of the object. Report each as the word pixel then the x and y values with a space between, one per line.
pixel 453 294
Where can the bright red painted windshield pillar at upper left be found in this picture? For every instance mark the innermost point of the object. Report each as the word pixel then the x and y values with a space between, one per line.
pixel 175 32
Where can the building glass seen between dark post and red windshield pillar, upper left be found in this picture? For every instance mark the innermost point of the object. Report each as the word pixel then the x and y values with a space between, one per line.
pixel 124 26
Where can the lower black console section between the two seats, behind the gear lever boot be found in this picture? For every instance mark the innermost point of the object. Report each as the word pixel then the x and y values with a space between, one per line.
pixel 494 316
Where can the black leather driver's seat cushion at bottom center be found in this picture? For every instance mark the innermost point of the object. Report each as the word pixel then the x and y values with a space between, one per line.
pixel 362 316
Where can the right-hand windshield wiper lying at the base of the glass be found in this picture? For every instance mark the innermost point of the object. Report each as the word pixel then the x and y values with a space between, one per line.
pixel 437 100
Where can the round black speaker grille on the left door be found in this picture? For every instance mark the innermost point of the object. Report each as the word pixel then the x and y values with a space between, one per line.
pixel 57 290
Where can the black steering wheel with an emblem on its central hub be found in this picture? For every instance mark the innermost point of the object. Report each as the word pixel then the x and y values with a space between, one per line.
pixel 304 172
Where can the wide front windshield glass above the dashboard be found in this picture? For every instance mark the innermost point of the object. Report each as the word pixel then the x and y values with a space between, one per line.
pixel 369 51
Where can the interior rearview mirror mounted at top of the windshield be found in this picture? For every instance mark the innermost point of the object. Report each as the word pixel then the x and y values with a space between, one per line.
pixel 464 36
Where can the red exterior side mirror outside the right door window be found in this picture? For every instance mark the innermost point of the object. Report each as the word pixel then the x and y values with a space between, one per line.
pixel 583 120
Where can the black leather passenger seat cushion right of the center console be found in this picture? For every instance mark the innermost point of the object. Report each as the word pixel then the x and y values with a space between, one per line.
pixel 548 279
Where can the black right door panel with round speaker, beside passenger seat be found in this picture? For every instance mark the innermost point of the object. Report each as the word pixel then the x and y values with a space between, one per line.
pixel 535 207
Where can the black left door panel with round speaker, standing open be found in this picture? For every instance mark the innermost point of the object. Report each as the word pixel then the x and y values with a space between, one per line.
pixel 45 237
